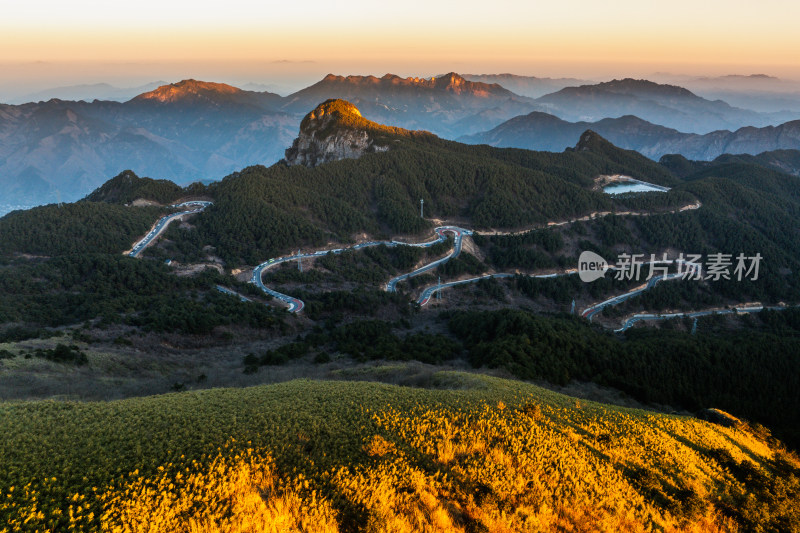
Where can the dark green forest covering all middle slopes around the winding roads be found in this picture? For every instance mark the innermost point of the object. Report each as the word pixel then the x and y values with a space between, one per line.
pixel 264 212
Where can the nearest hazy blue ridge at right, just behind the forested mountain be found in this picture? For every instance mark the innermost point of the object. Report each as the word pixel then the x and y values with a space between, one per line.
pixel 540 131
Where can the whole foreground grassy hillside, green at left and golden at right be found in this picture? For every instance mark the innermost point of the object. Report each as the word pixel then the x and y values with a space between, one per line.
pixel 478 454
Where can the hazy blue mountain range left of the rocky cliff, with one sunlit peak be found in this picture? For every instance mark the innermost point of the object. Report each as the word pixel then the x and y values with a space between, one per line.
pixel 188 132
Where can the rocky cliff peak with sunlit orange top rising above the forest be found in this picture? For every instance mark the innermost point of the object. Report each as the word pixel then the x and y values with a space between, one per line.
pixel 334 130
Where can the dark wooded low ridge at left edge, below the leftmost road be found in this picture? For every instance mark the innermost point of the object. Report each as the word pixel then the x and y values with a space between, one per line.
pixel 116 289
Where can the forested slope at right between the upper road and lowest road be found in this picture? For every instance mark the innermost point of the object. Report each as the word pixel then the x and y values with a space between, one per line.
pixel 744 210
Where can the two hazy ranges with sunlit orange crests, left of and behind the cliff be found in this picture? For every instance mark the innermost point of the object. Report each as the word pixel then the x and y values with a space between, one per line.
pixel 194 130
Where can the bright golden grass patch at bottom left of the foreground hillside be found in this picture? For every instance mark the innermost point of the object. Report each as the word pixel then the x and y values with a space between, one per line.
pixel 237 493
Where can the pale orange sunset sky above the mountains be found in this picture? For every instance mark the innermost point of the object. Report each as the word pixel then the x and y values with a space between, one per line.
pixel 46 43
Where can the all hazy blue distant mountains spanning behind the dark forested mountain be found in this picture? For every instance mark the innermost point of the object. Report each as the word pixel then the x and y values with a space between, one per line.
pixel 193 130
